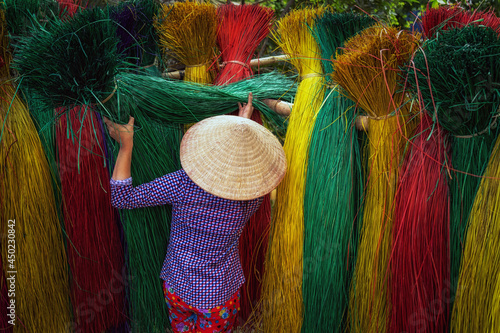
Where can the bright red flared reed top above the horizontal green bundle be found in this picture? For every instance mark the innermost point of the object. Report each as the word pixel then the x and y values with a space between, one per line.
pixel 241 29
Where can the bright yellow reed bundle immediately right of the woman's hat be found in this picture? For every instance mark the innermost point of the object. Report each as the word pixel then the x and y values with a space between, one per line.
pixel 282 285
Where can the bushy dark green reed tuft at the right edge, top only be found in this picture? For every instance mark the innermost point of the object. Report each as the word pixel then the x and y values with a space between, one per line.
pixel 458 75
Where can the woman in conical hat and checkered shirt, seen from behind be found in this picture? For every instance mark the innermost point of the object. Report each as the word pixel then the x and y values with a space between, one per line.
pixel 228 164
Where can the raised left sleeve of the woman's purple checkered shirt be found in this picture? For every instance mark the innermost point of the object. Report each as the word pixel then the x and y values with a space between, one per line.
pixel 167 189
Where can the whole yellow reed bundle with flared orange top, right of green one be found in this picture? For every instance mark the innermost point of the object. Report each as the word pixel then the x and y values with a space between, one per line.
pixel 369 70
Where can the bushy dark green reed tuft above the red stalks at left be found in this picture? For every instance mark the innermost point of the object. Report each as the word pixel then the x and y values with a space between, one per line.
pixel 71 62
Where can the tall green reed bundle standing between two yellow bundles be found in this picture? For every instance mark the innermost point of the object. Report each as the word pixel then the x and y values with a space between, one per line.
pixel 331 204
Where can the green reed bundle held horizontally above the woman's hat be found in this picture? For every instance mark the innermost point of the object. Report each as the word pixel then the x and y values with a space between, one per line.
pixel 186 102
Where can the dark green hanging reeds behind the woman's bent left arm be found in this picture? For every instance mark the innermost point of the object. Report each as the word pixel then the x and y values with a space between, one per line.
pixel 147 230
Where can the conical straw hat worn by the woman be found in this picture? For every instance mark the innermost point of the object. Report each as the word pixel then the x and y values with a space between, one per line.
pixel 233 157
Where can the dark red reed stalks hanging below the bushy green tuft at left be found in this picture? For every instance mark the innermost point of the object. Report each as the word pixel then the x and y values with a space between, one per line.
pixel 95 252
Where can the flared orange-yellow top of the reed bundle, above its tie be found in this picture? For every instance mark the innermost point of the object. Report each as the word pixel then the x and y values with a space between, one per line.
pixel 369 68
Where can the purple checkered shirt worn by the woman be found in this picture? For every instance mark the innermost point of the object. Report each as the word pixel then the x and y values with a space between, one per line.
pixel 202 263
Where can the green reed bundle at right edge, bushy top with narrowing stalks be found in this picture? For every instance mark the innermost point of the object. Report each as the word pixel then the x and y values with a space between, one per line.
pixel 458 77
